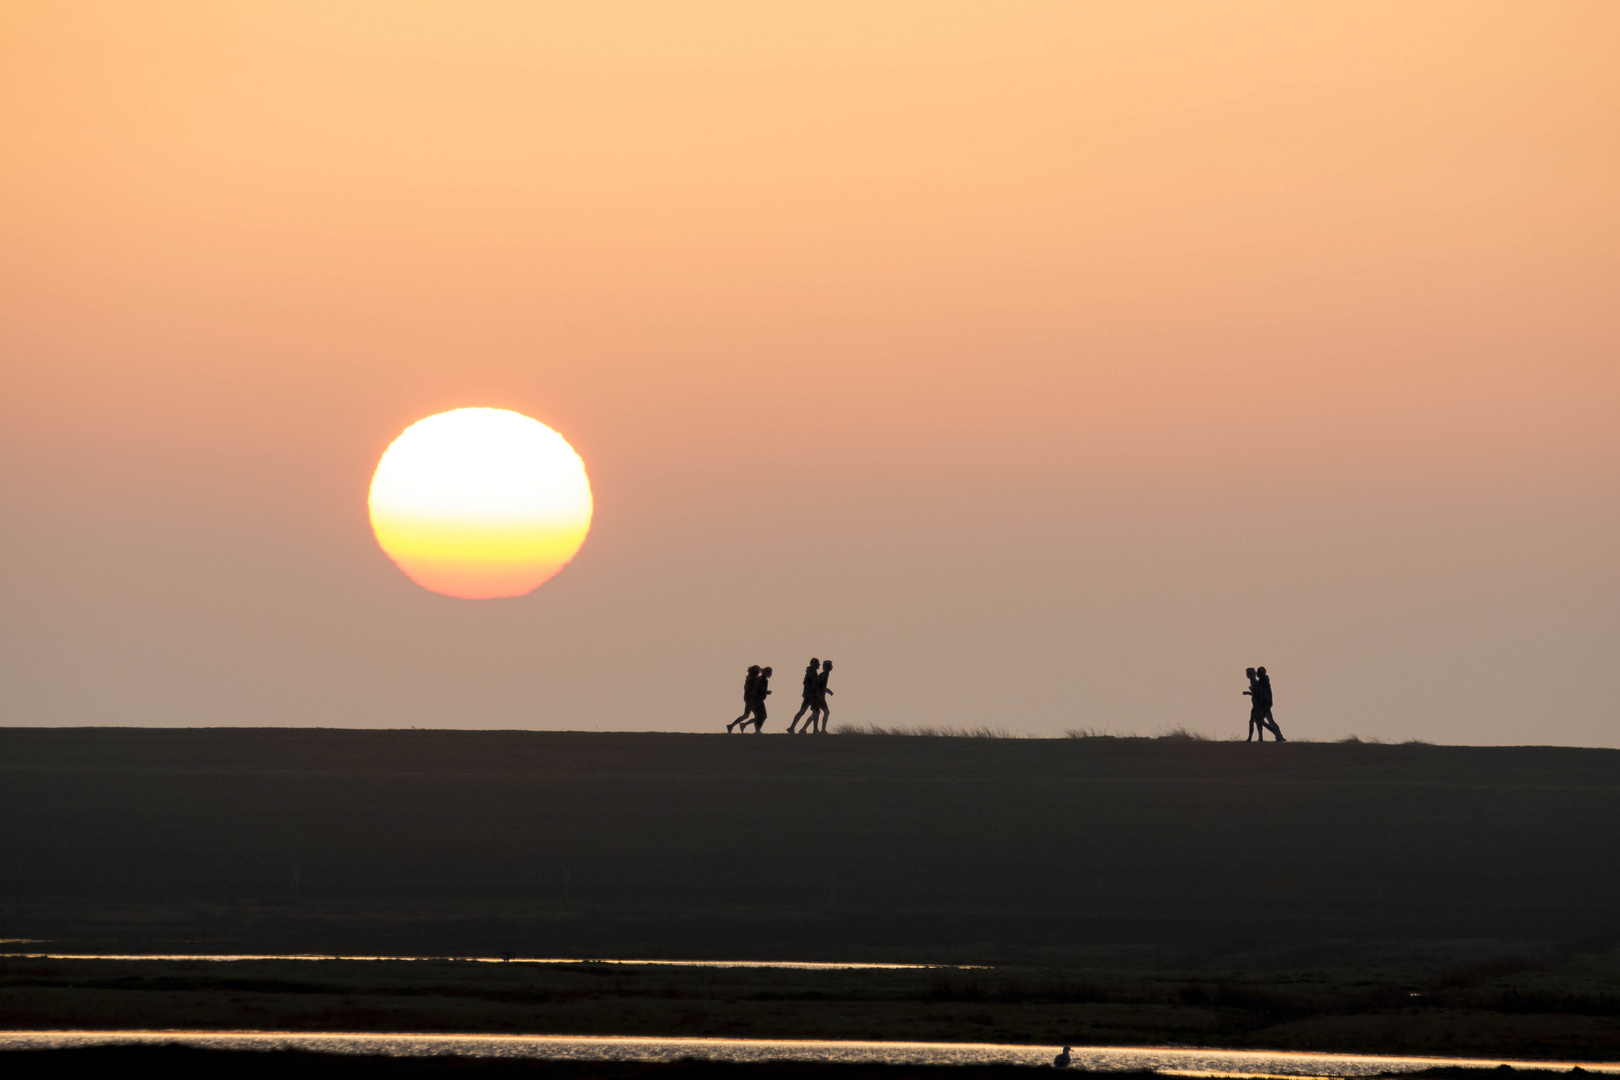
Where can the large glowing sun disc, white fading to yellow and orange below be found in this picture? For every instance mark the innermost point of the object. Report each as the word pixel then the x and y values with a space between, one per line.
pixel 480 503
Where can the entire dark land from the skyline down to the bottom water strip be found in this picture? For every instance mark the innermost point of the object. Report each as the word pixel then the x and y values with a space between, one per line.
pixel 1349 898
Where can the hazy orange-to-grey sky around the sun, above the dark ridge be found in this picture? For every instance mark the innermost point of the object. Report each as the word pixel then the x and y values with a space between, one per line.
pixel 1042 365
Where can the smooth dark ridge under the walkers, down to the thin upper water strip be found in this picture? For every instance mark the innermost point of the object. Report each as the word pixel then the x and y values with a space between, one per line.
pixel 947 851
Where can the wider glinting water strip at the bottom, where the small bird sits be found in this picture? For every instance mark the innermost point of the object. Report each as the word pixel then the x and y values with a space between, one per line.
pixel 1203 1063
